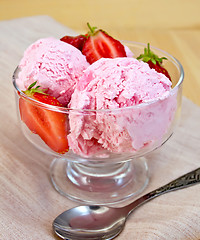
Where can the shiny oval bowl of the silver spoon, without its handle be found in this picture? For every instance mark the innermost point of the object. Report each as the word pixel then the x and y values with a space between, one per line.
pixel 88 222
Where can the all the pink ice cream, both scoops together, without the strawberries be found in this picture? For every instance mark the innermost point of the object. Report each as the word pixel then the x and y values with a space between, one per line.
pixel 122 105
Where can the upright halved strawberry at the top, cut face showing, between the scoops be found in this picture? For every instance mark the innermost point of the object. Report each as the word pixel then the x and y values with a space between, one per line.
pixel 99 44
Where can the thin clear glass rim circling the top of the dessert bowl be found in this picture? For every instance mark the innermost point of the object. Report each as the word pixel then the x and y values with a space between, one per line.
pixel 65 109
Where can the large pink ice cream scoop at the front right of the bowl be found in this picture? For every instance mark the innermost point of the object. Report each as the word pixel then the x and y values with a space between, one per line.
pixel 132 103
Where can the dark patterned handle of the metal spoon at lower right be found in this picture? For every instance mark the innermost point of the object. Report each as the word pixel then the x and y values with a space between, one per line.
pixel 184 181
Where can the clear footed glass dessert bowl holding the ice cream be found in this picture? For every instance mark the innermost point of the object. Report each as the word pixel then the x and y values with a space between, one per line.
pixel 106 161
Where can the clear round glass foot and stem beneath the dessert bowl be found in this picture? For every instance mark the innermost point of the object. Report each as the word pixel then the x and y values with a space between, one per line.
pixel 101 184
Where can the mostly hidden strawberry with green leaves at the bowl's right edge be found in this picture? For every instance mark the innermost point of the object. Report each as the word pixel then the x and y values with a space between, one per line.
pixel 154 61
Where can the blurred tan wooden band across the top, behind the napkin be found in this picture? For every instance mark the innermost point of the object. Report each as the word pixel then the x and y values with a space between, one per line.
pixel 112 14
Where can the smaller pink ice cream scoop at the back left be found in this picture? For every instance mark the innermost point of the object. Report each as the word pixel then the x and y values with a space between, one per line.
pixel 55 66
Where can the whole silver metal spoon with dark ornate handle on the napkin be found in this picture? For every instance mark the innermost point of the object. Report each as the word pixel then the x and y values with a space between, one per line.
pixel 101 222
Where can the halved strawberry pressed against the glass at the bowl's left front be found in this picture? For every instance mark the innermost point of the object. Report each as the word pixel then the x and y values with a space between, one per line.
pixel 48 124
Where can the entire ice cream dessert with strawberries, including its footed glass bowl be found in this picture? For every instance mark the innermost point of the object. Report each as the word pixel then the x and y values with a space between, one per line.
pixel 97 105
